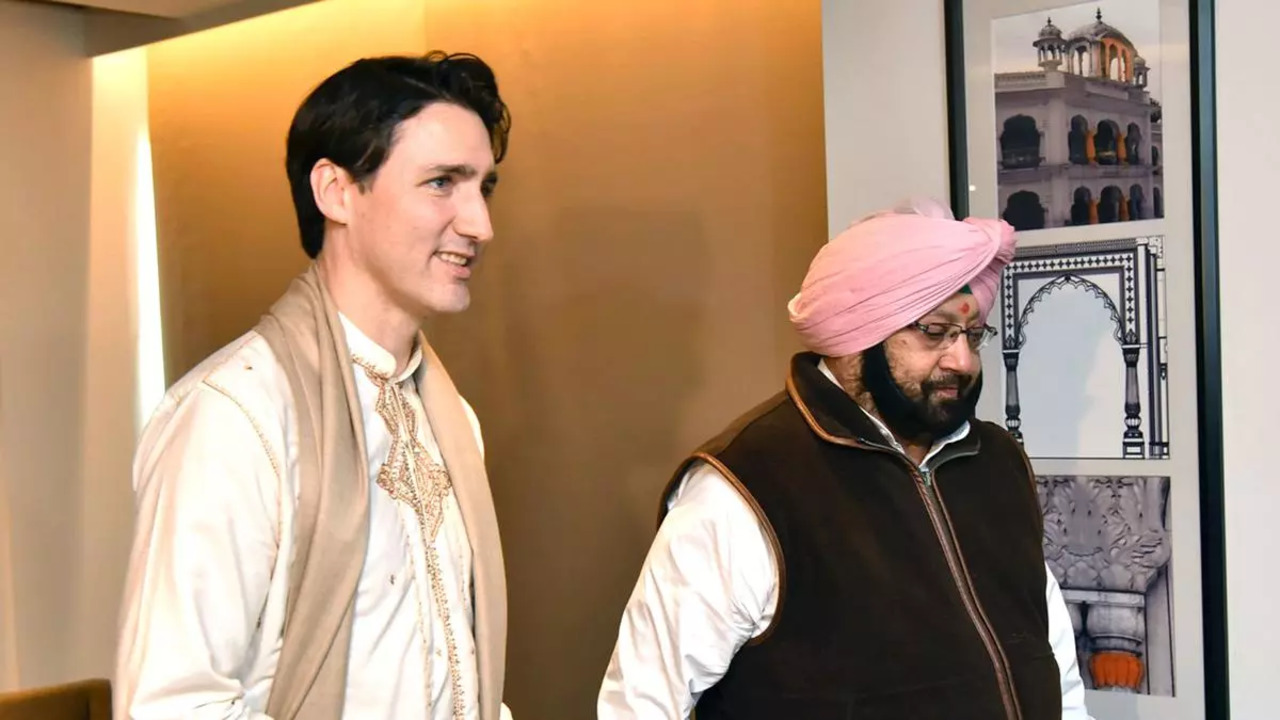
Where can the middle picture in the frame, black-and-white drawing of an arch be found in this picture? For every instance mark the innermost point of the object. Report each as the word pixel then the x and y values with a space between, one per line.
pixel 1086 350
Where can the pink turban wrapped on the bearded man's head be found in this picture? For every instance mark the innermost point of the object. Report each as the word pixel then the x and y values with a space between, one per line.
pixel 890 270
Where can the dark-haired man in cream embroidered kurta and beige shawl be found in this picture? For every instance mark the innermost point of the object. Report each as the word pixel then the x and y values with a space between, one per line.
pixel 316 532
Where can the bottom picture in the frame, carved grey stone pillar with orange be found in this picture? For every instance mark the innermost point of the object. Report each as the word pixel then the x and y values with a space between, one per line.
pixel 1107 543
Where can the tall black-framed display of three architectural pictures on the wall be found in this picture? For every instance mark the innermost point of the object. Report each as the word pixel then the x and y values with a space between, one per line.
pixel 1090 129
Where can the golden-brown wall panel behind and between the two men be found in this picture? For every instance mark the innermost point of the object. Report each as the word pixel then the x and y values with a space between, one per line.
pixel 662 198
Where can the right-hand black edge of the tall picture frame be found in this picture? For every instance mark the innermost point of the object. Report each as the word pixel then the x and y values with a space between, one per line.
pixel 1209 343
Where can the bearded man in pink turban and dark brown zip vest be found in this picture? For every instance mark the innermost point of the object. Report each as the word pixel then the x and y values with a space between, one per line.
pixel 860 545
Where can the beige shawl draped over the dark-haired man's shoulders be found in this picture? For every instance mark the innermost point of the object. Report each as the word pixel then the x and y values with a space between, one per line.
pixel 332 521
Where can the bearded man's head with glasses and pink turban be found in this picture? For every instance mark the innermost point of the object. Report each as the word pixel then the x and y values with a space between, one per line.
pixel 900 282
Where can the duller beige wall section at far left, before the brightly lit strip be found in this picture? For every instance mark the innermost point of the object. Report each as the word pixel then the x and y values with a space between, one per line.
pixel 45 200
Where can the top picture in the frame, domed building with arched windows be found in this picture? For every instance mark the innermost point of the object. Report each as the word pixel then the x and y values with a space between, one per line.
pixel 1078 116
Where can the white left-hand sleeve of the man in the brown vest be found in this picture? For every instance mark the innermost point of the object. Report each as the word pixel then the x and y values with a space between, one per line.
pixel 708 585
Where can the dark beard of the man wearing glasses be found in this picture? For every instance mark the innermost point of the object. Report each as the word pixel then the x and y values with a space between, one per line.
pixel 924 420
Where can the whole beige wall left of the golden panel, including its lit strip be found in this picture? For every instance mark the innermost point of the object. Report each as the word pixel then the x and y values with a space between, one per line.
pixel 68 353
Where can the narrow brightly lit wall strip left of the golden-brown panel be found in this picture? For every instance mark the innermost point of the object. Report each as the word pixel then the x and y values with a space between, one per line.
pixel 118 340
